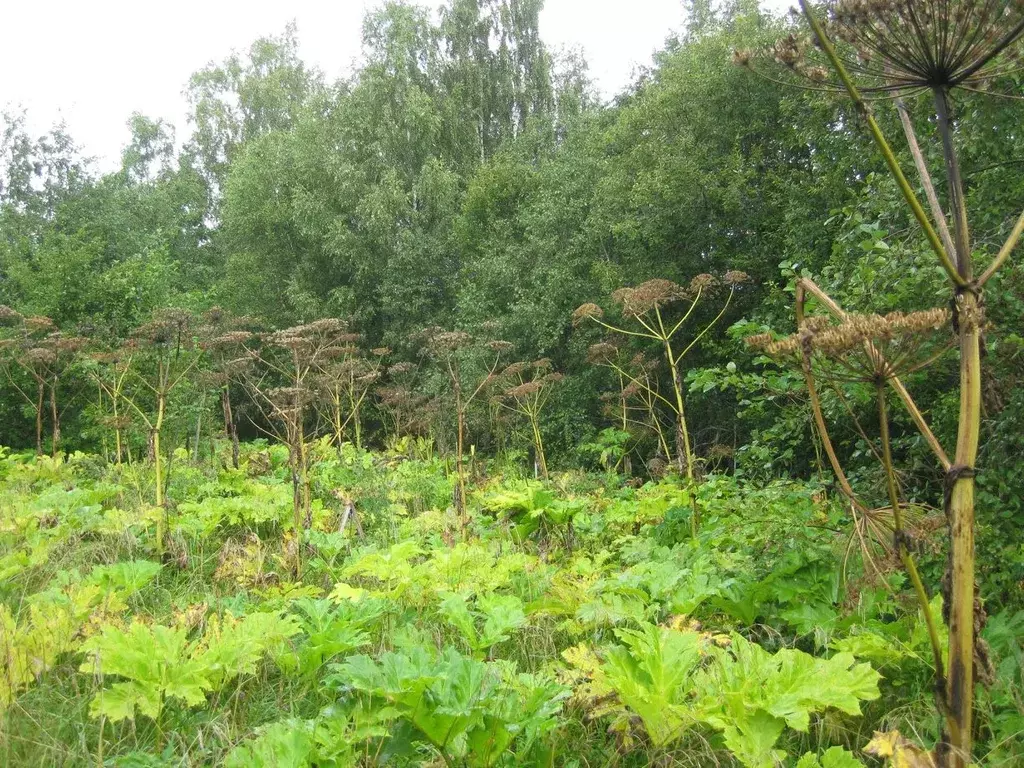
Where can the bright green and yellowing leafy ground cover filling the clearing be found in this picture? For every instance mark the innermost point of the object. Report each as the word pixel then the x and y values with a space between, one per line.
pixel 577 623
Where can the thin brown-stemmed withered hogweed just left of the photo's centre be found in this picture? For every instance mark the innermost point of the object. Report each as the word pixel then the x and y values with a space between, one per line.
pixel 455 352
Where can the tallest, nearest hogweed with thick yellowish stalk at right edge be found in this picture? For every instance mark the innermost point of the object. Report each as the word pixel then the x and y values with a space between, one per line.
pixel 897 50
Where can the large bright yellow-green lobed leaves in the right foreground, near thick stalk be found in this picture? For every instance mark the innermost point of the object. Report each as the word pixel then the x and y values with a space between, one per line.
pixel 675 679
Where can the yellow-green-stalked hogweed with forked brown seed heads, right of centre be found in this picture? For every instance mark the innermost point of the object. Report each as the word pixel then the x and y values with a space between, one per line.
pixel 646 315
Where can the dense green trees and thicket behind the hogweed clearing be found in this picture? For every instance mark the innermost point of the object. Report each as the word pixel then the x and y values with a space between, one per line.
pixel 466 178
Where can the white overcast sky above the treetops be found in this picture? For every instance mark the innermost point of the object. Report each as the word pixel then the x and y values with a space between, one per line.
pixel 94 64
